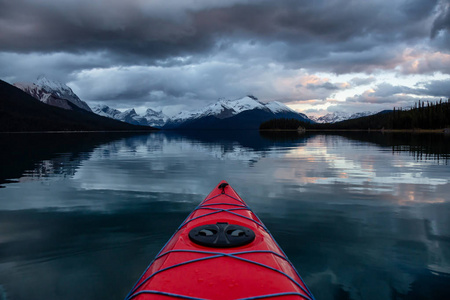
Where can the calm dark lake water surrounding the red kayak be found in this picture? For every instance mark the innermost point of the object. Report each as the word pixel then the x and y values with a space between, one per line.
pixel 361 216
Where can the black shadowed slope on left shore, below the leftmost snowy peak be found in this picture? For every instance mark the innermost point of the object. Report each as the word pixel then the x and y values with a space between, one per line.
pixel 21 112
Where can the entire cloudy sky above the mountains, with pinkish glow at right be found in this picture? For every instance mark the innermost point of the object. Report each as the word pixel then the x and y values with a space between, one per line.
pixel 315 56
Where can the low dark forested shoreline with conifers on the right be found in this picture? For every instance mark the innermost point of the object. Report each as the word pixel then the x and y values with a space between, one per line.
pixel 423 115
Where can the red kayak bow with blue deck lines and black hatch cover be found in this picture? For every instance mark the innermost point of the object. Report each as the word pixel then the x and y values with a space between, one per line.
pixel 221 251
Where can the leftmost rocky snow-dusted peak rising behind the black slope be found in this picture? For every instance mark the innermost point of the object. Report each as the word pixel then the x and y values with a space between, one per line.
pixel 53 93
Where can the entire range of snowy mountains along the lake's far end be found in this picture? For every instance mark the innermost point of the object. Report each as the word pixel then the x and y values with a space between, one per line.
pixel 243 113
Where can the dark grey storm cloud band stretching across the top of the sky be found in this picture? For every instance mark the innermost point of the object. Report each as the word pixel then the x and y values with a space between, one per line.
pixel 134 30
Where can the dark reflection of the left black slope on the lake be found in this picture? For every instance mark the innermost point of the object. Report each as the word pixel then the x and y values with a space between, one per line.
pixel 24 156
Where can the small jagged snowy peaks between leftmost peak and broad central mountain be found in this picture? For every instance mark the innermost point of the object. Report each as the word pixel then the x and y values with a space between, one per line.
pixel 151 117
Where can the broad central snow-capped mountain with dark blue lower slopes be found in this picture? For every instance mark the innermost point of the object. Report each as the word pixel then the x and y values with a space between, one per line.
pixel 244 113
